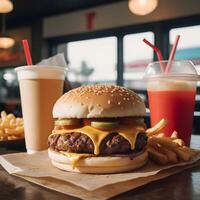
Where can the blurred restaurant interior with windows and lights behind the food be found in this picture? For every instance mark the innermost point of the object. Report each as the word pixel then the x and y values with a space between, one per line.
pixel 101 41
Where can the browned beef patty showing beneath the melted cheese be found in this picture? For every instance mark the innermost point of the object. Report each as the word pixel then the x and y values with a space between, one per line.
pixel 76 142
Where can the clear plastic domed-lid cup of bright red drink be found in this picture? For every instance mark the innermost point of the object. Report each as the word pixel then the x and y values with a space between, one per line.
pixel 172 96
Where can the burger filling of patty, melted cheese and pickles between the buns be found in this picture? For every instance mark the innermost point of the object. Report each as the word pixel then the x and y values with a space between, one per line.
pixel 99 136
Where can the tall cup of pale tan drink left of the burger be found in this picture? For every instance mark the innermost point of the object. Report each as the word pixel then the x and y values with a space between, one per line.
pixel 40 87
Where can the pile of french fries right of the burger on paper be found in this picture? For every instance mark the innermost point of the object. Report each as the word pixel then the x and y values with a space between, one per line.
pixel 164 150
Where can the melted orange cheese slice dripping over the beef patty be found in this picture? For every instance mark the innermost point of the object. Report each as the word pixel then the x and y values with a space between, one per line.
pixel 128 132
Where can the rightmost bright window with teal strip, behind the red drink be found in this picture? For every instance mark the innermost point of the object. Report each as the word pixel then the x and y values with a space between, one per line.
pixel 189 44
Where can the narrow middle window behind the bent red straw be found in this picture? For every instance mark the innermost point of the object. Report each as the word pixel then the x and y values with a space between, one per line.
pixel 137 55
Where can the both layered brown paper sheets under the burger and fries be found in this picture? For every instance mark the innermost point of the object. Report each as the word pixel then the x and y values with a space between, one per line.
pixel 37 168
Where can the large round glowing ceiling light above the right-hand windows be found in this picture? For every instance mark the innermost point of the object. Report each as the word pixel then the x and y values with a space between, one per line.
pixel 142 7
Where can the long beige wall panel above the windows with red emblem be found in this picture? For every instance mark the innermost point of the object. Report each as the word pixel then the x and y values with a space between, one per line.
pixel 116 15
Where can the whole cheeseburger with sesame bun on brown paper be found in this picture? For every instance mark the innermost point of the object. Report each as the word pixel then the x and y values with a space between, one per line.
pixel 98 129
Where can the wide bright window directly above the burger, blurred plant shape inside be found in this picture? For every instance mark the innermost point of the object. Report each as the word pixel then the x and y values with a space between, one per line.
pixel 92 61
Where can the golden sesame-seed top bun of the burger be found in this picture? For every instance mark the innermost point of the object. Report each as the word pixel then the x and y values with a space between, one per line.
pixel 99 101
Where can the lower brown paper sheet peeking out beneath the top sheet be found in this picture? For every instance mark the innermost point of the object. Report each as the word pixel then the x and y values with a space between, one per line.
pixel 105 192
